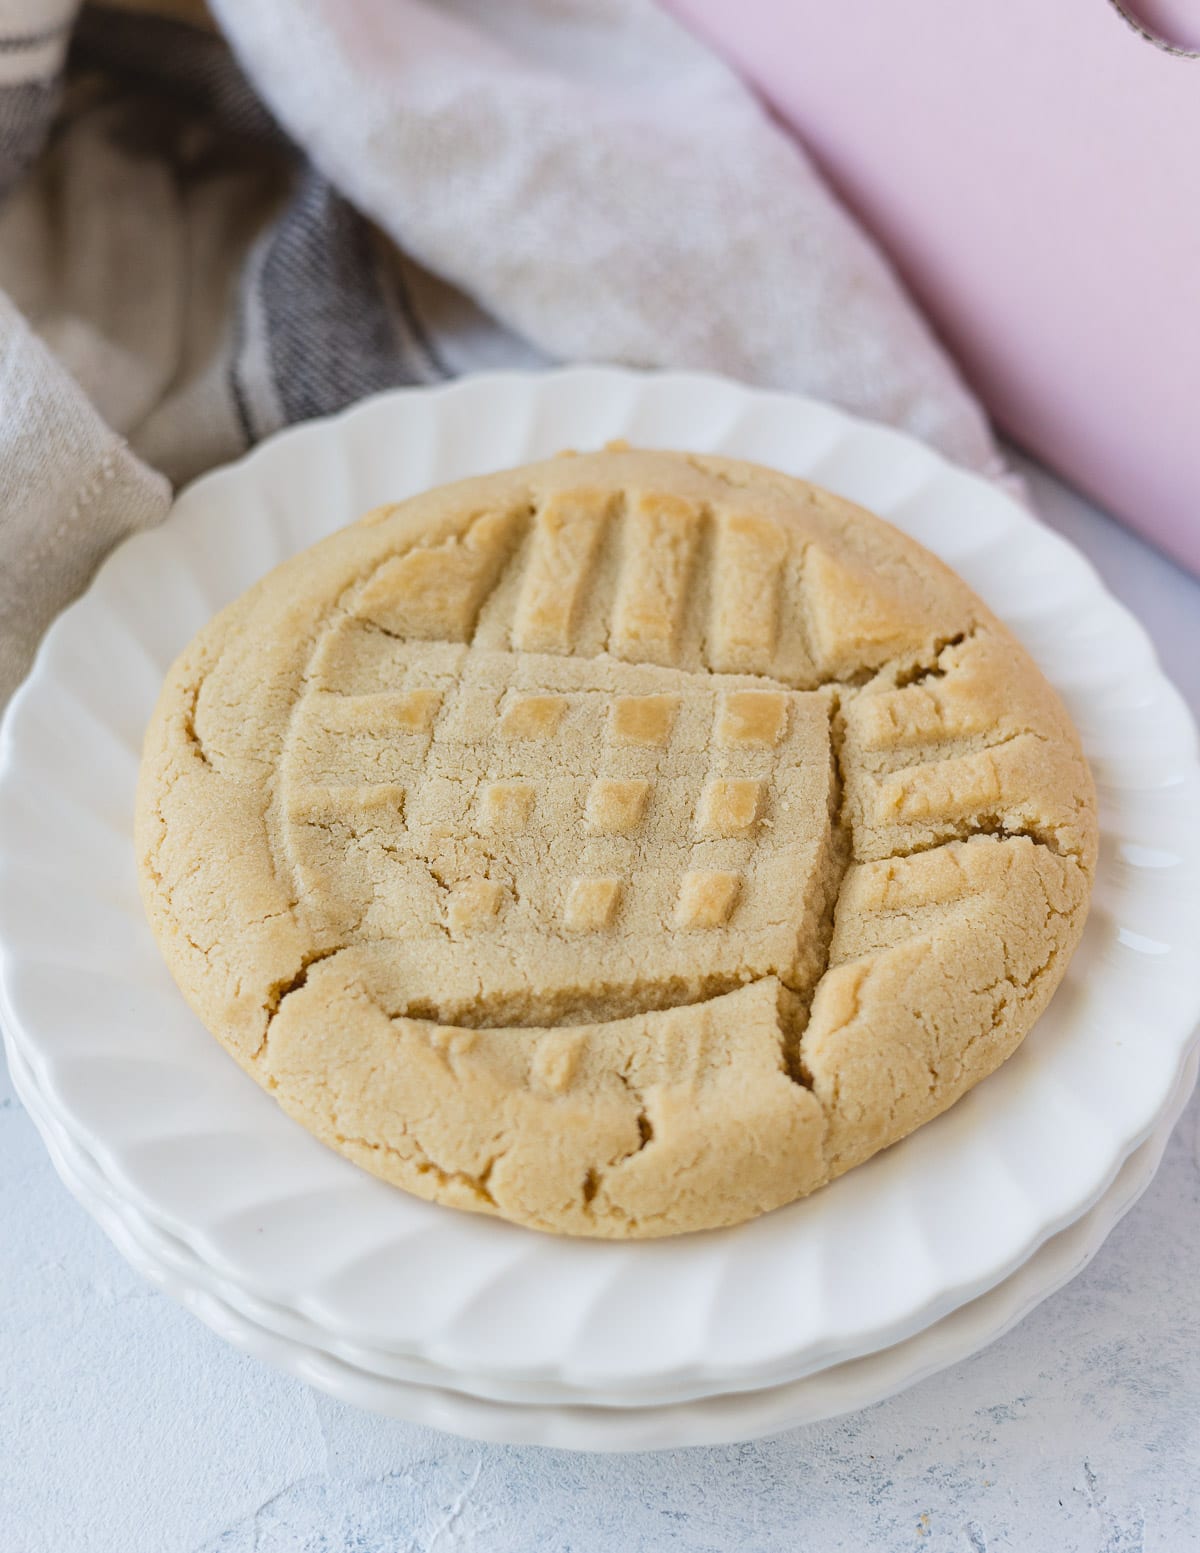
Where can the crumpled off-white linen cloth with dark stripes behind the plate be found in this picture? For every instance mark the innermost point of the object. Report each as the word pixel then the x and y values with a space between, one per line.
pixel 218 224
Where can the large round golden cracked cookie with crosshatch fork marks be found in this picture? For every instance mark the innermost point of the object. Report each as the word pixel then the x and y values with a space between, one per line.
pixel 625 846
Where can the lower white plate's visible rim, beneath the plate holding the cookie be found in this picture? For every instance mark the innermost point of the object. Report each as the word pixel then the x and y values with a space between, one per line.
pixel 707 1422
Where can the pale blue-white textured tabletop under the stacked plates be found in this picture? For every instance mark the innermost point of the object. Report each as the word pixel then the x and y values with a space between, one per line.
pixel 128 1428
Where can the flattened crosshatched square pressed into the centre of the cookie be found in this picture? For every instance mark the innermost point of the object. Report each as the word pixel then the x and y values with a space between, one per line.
pixel 584 807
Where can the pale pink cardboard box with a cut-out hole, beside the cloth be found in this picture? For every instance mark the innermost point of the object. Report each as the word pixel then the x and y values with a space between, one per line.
pixel 1033 170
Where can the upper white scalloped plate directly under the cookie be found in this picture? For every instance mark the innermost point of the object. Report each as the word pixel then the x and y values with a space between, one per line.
pixel 204 1155
